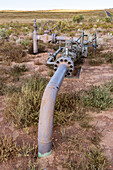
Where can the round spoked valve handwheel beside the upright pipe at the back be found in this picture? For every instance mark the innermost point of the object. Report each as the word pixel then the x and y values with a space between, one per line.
pixel 50 28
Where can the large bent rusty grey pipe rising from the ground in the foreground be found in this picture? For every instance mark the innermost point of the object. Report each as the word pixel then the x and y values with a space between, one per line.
pixel 45 127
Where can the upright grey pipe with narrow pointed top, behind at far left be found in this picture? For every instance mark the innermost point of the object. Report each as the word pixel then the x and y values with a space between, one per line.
pixel 35 40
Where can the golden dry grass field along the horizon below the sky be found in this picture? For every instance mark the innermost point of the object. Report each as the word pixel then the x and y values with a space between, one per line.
pixel 28 16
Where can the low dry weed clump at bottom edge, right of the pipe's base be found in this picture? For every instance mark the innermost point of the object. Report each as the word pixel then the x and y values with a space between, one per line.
pixel 80 157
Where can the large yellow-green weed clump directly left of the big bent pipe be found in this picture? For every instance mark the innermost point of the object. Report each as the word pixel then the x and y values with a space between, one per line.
pixel 25 105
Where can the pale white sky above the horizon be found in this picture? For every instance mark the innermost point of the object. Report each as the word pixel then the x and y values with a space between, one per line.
pixel 54 4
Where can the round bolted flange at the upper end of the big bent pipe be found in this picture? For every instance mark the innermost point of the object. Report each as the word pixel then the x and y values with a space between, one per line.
pixel 66 61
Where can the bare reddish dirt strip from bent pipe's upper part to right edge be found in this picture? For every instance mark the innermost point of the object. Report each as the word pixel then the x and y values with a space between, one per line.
pixel 90 75
